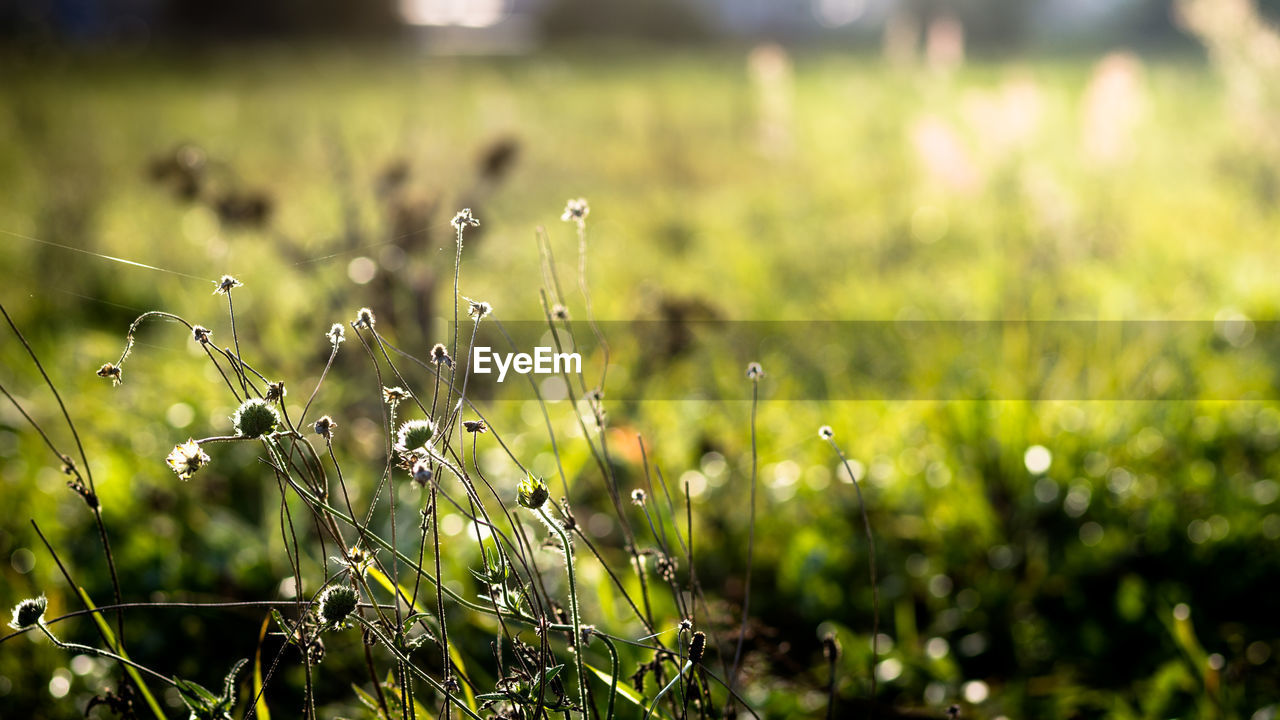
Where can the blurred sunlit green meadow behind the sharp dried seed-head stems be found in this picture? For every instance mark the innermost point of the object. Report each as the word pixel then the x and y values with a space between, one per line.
pixel 1037 558
